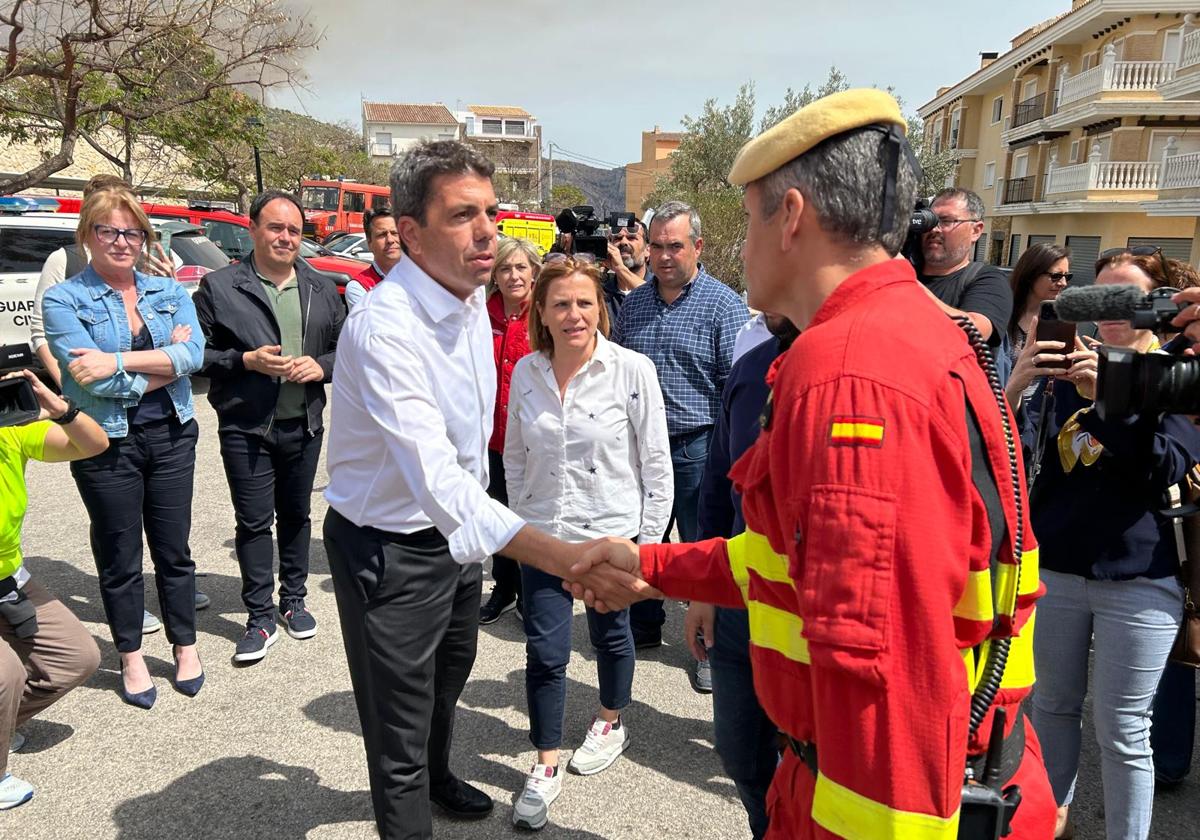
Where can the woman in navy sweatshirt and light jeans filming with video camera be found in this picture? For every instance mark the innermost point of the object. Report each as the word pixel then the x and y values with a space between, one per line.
pixel 1108 561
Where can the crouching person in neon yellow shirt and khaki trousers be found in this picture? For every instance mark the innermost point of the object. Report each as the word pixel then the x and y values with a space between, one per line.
pixel 45 651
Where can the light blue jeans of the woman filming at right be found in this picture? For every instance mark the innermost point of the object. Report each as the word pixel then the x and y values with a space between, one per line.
pixel 1133 625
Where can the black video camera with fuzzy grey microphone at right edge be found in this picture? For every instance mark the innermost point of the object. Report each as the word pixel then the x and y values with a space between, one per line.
pixel 1131 382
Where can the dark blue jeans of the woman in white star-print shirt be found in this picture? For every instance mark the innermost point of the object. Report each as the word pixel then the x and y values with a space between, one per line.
pixel 548 621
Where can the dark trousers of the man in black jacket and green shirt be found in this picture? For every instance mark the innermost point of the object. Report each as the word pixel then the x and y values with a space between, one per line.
pixel 271 481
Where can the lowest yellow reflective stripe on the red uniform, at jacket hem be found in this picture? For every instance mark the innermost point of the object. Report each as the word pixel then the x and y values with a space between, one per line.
pixel 848 814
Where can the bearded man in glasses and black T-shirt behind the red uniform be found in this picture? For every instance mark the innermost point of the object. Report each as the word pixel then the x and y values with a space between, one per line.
pixel 961 286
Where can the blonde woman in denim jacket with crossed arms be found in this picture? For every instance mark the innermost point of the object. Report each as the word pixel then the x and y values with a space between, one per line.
pixel 127 344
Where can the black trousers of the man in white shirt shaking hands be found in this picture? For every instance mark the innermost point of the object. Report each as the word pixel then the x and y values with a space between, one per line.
pixel 410 619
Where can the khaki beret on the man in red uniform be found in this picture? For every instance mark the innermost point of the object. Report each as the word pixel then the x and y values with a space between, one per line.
pixel 829 117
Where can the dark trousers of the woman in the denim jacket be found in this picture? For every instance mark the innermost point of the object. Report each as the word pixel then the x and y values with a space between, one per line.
pixel 143 482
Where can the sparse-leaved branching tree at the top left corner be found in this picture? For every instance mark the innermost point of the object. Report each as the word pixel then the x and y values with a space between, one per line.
pixel 75 70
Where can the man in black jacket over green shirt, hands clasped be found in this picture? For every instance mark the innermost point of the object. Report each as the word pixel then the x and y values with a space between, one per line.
pixel 272 326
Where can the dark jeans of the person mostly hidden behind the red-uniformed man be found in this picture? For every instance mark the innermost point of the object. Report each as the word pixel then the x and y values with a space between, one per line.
pixel 746 737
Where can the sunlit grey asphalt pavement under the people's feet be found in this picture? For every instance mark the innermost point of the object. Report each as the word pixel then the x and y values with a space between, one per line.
pixel 275 749
